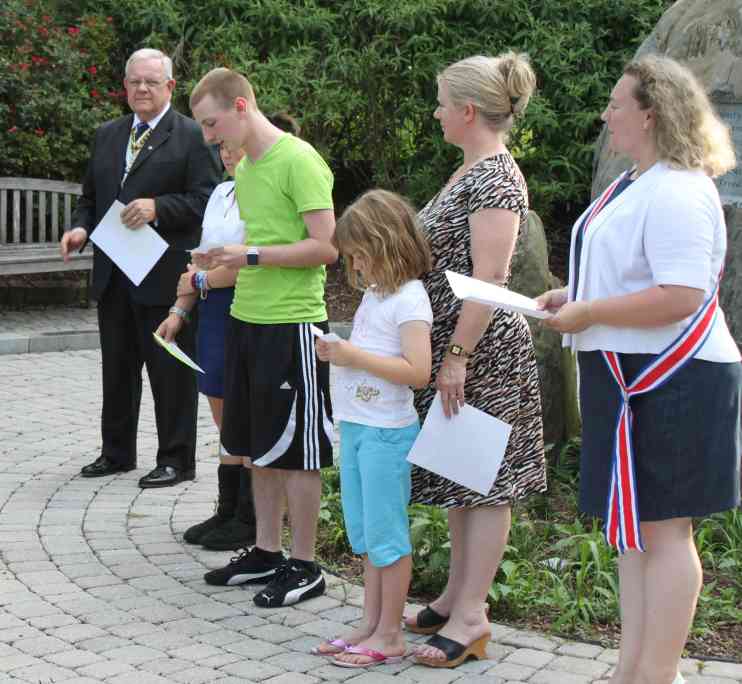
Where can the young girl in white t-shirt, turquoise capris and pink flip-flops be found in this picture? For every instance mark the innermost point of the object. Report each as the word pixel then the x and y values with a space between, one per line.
pixel 385 251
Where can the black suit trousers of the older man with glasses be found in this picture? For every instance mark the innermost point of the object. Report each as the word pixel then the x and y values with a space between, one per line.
pixel 126 341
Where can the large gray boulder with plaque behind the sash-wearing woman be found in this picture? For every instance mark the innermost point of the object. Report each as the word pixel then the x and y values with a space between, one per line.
pixel 707 36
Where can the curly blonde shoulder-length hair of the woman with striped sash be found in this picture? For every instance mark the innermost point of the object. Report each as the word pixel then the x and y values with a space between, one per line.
pixel 688 133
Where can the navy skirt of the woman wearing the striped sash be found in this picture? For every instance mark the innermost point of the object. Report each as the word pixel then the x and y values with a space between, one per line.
pixel 686 437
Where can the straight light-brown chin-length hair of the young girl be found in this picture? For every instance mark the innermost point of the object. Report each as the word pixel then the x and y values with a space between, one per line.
pixel 383 227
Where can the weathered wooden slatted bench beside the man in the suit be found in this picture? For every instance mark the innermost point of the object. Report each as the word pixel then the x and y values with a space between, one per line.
pixel 34 213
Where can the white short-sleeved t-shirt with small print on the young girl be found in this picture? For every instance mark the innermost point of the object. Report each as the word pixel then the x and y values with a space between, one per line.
pixel 361 397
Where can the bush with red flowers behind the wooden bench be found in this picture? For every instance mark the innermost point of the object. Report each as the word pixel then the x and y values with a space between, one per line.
pixel 57 86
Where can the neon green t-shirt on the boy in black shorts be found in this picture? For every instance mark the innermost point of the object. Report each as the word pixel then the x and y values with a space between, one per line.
pixel 289 179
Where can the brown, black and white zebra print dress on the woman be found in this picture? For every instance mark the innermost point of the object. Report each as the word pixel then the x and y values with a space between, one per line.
pixel 502 378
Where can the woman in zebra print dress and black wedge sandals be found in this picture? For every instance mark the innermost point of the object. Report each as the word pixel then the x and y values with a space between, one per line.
pixel 482 358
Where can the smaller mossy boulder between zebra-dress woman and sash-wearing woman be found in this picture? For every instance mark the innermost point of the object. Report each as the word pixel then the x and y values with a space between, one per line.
pixel 530 276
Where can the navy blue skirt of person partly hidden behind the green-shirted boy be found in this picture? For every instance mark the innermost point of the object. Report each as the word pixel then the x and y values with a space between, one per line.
pixel 212 320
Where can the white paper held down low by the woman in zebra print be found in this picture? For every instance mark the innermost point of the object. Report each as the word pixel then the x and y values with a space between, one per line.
pixel 467 448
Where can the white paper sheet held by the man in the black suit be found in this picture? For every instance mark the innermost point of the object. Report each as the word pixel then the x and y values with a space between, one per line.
pixel 135 252
